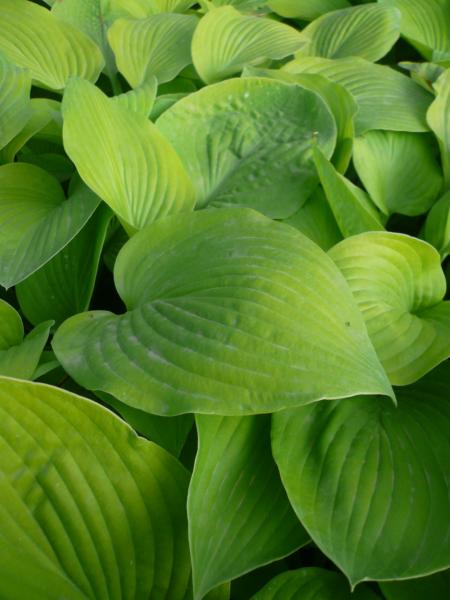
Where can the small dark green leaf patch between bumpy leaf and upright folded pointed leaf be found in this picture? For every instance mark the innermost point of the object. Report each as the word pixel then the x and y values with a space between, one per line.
pixel 315 219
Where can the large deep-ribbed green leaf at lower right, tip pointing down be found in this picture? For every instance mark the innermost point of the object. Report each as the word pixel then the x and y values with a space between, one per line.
pixel 370 481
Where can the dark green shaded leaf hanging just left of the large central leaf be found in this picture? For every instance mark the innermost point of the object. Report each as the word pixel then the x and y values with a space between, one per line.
pixel 63 287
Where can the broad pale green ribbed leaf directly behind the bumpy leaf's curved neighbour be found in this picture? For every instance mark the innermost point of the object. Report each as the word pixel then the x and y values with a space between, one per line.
pixel 386 99
